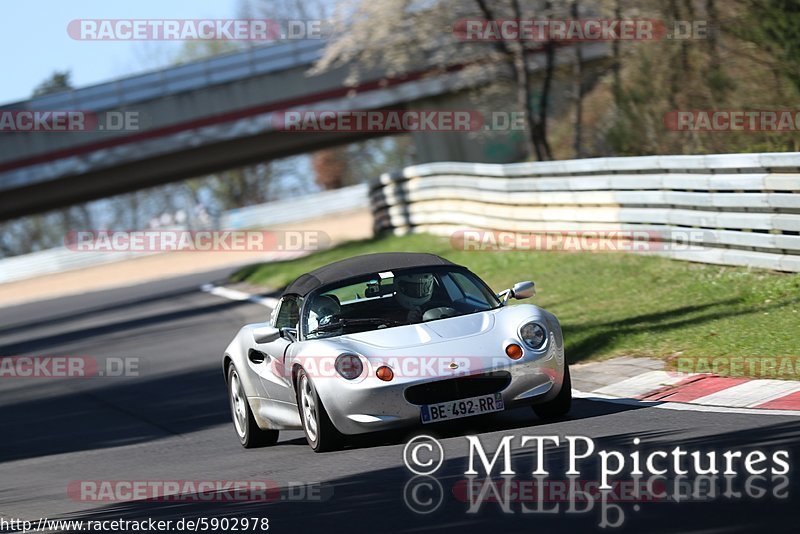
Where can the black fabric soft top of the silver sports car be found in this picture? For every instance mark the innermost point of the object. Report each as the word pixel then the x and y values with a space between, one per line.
pixel 360 266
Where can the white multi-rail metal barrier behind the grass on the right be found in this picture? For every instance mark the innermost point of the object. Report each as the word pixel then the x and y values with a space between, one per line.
pixel 739 209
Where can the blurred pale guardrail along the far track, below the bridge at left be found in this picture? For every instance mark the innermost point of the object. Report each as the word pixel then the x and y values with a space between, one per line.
pixel 62 259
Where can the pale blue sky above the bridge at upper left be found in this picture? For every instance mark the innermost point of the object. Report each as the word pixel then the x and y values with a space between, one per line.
pixel 35 42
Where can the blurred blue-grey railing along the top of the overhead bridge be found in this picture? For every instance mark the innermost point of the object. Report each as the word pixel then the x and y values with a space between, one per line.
pixel 195 75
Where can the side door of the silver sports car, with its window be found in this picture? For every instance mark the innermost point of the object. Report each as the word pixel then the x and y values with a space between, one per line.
pixel 274 376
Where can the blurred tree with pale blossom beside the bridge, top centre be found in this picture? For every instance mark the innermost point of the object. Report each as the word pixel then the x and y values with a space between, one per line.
pixel 411 34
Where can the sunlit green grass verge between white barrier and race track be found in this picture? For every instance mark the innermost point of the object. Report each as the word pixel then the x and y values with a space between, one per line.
pixel 613 304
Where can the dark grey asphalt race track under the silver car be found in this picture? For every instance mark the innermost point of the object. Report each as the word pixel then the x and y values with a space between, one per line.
pixel 172 422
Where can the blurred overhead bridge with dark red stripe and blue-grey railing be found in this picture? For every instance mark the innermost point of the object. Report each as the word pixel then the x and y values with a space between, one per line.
pixel 196 119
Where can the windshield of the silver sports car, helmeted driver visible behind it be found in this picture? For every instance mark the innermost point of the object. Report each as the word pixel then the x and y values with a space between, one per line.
pixel 395 298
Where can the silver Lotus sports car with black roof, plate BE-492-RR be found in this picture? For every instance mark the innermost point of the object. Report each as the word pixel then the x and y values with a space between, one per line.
pixel 388 340
